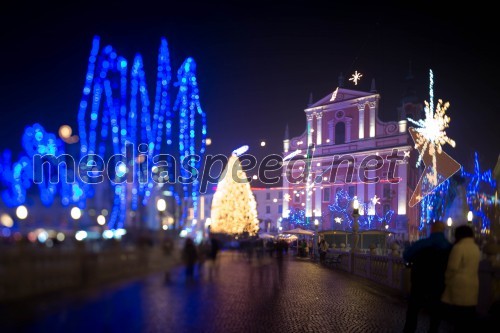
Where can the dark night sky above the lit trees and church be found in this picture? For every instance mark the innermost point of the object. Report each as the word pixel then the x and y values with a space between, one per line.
pixel 257 63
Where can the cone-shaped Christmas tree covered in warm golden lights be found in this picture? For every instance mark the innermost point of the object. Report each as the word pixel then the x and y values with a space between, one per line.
pixel 234 210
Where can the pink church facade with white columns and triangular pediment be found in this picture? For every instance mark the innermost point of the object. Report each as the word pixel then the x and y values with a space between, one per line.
pixel 345 126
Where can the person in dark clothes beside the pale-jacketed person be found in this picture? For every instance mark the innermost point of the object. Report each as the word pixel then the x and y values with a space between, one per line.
pixel 428 259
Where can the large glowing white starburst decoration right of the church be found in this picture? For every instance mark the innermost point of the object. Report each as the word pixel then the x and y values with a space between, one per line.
pixel 432 131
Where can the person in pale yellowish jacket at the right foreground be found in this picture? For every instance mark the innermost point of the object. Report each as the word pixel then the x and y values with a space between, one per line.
pixel 462 280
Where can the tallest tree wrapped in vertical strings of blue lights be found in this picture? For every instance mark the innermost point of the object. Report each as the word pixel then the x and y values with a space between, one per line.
pixel 105 97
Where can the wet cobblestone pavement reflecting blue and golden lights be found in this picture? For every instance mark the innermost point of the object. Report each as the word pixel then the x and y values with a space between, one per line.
pixel 238 296
